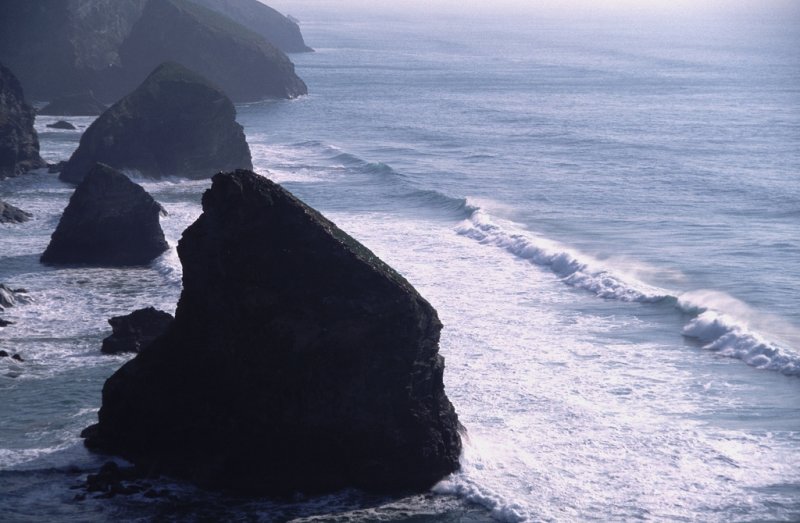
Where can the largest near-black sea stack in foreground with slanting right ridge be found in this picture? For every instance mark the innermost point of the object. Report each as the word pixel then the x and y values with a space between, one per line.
pixel 297 361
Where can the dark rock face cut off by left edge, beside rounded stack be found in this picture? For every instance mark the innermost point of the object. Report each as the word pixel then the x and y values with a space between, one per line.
pixel 19 144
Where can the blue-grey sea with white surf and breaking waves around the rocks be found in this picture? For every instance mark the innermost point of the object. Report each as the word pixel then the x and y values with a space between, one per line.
pixel 605 213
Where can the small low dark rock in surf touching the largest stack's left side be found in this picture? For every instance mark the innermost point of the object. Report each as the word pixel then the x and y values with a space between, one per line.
pixel 136 330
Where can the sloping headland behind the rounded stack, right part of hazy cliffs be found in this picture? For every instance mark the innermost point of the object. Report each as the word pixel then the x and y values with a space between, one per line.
pixel 239 61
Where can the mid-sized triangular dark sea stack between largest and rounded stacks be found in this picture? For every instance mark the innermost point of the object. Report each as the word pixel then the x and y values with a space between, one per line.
pixel 110 221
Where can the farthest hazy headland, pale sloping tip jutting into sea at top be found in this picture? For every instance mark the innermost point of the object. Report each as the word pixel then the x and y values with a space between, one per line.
pixel 281 31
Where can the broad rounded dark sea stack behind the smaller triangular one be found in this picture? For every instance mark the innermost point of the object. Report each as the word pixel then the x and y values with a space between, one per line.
pixel 175 123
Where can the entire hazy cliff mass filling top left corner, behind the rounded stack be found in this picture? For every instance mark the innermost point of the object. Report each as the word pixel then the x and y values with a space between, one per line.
pixel 70 46
